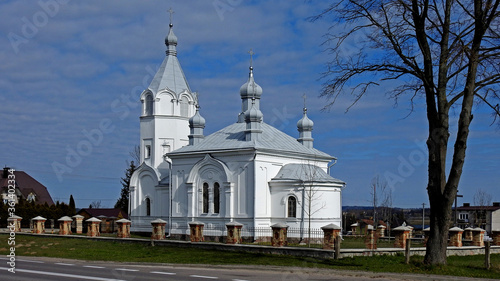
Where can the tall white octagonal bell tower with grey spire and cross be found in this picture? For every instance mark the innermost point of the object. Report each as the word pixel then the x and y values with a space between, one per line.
pixel 167 106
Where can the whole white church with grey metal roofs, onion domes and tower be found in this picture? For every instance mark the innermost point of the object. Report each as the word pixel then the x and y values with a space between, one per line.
pixel 248 172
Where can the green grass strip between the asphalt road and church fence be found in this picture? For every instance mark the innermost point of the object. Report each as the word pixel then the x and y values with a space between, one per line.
pixel 469 266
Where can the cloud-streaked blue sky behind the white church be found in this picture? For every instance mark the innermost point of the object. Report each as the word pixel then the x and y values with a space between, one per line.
pixel 76 68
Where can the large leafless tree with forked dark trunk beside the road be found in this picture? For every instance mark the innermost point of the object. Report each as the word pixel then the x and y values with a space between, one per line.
pixel 447 51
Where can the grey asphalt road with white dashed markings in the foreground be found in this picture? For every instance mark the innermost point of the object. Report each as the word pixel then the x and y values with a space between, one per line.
pixel 45 269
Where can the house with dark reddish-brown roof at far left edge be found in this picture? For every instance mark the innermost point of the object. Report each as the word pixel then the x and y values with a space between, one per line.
pixel 26 188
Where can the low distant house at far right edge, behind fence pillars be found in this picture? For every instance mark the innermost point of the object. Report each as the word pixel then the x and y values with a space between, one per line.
pixel 485 217
